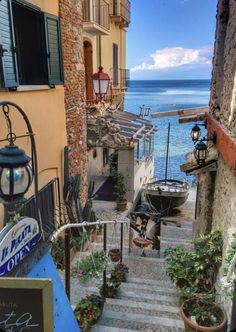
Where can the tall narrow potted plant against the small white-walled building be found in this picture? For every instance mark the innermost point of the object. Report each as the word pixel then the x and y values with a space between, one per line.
pixel 120 190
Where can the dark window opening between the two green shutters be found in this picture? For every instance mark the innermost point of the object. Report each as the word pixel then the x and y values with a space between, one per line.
pixel 30 45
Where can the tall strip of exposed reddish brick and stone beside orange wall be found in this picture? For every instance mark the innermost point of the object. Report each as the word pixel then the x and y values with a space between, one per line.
pixel 76 120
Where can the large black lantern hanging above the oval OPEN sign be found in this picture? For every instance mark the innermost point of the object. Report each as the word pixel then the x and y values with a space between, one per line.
pixel 15 173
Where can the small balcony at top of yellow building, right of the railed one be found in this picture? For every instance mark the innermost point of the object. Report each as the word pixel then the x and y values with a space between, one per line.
pixel 120 12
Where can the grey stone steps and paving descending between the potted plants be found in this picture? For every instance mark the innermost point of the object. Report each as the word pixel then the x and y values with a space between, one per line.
pixel 148 301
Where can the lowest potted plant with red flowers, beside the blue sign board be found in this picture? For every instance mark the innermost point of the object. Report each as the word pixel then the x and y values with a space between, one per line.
pixel 88 311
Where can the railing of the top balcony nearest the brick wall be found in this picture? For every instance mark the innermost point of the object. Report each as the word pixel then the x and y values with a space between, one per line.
pixel 96 11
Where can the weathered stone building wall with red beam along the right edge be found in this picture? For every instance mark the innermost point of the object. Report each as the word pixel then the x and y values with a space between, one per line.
pixel 216 207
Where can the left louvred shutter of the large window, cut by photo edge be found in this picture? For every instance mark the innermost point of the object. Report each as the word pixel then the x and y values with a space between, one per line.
pixel 7 47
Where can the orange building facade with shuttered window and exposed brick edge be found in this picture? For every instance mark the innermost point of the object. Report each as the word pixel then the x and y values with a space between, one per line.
pixel 42 71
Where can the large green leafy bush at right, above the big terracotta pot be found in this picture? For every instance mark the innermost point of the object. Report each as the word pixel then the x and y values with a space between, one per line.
pixel 195 271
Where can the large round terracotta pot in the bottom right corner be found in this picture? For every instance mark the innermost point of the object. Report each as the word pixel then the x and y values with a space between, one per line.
pixel 190 326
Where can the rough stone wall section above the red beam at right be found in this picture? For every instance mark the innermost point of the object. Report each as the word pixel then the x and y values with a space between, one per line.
pixel 223 92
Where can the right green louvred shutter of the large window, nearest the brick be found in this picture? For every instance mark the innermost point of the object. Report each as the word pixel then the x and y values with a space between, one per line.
pixel 54 50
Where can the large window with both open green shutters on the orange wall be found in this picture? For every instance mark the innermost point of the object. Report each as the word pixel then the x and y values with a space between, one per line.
pixel 30 45
